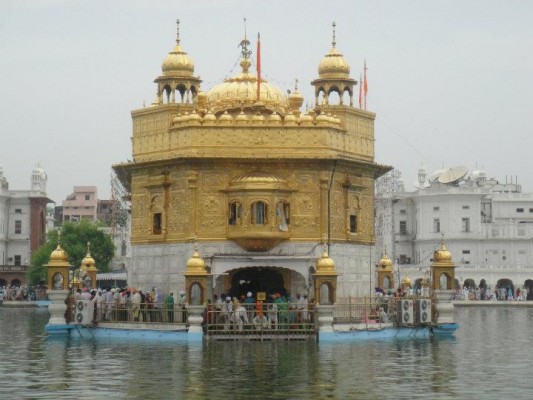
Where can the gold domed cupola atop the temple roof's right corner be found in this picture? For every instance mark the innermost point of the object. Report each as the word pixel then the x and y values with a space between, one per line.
pixel 333 76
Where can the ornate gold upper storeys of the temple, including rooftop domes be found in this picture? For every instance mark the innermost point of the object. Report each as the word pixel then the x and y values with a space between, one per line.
pixel 232 164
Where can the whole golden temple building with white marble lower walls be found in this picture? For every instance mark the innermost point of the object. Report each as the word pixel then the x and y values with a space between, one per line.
pixel 240 182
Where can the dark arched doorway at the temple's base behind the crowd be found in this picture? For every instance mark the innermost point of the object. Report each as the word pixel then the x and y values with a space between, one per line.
pixel 256 279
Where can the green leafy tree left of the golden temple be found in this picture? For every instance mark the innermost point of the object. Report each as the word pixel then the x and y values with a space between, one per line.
pixel 74 238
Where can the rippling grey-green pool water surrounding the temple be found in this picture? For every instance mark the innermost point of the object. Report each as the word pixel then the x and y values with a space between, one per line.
pixel 490 358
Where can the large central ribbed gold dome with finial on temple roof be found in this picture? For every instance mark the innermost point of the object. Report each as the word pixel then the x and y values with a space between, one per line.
pixel 241 90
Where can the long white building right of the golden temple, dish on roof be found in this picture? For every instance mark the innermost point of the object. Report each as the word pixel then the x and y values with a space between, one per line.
pixel 487 225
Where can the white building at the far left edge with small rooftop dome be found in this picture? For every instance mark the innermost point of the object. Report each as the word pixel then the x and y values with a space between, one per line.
pixel 22 226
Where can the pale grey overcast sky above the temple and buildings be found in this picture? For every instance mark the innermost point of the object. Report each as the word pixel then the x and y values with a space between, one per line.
pixel 450 81
